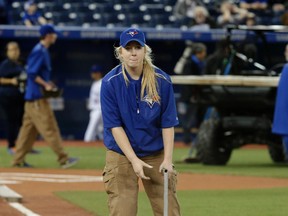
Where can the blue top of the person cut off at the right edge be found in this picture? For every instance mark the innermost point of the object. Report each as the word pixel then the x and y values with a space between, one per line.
pixel 280 122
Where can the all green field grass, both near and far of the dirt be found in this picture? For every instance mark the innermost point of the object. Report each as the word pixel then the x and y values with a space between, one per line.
pixel 248 162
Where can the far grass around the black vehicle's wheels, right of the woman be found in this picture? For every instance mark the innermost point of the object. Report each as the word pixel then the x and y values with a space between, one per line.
pixel 248 162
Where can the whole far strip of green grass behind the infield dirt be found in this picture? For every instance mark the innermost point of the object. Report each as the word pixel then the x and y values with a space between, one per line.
pixel 249 162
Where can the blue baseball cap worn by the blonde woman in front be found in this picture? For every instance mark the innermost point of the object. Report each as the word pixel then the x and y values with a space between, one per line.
pixel 132 34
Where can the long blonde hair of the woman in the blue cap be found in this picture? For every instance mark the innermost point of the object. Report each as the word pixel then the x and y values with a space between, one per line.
pixel 149 79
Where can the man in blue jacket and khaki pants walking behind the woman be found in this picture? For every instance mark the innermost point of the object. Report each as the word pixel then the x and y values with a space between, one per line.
pixel 38 115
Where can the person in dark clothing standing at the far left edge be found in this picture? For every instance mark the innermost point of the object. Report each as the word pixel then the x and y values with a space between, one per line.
pixel 11 98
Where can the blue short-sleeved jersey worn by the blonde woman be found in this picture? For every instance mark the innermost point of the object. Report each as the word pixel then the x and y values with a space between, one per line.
pixel 141 119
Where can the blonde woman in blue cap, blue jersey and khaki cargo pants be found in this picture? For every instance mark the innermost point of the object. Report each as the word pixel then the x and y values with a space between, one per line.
pixel 139 116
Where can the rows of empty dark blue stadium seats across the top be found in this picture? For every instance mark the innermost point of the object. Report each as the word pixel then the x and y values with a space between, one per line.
pixel 142 13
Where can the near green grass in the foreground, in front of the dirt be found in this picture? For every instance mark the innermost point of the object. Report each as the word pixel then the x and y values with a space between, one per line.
pixel 265 202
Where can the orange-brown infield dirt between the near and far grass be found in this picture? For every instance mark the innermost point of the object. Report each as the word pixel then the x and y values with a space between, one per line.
pixel 39 197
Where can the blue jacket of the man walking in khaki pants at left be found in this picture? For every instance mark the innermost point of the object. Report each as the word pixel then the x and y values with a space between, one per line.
pixel 38 64
